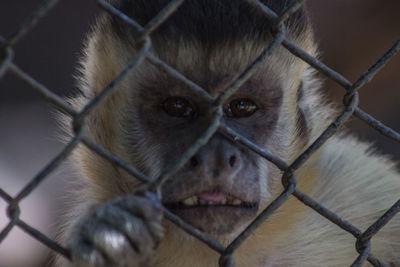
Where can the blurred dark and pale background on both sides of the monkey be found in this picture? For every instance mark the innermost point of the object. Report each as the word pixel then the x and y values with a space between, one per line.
pixel 351 36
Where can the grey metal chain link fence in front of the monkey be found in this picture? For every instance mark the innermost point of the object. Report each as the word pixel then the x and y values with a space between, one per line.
pixel 350 103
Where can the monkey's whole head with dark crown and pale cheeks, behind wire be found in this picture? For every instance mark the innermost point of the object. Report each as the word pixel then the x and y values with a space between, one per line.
pixel 154 117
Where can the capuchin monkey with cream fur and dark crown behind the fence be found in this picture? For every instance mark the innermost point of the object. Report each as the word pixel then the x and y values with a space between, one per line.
pixel 153 118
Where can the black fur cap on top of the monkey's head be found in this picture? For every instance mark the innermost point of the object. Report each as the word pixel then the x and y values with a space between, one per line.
pixel 208 21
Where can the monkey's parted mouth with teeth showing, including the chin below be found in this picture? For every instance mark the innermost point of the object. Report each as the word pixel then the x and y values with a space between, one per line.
pixel 214 212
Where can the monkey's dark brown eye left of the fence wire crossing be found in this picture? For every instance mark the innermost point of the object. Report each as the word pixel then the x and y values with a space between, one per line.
pixel 178 107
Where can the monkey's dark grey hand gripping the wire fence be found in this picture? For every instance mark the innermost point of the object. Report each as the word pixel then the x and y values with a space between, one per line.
pixel 122 232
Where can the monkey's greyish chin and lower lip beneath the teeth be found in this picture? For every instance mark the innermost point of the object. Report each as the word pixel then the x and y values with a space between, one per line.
pixel 218 220
